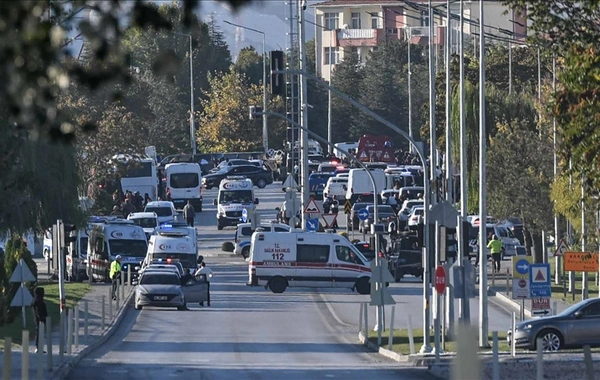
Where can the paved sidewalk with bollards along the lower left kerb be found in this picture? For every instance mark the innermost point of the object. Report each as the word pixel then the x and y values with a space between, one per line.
pixel 96 336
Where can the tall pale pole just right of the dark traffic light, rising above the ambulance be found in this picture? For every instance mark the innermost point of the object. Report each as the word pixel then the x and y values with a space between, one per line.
pixel 303 112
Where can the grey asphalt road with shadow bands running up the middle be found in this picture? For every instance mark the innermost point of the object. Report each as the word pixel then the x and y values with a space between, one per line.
pixel 251 333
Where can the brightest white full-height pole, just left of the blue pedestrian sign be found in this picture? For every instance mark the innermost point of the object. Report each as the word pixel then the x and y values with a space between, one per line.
pixel 483 302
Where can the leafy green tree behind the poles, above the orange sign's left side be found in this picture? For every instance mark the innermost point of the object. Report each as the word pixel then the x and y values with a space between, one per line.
pixel 519 177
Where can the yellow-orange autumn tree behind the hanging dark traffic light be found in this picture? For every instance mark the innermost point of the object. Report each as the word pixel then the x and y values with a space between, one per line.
pixel 225 126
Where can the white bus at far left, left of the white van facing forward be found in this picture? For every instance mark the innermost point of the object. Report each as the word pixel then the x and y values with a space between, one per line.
pixel 138 174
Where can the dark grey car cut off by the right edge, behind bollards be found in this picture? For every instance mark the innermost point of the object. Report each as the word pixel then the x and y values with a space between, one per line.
pixel 575 327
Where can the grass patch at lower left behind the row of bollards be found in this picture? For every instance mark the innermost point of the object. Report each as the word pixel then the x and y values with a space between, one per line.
pixel 74 291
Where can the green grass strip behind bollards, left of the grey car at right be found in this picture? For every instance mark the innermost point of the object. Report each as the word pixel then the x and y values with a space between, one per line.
pixel 401 343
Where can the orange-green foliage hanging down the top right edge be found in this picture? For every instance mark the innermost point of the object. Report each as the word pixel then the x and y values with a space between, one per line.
pixel 569 29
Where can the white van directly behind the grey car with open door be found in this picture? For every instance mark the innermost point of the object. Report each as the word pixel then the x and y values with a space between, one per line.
pixel 173 245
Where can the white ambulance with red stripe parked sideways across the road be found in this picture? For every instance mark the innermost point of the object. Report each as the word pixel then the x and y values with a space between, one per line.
pixel 307 259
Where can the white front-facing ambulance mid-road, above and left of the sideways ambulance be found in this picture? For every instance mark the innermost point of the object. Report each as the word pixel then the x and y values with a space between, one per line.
pixel 236 193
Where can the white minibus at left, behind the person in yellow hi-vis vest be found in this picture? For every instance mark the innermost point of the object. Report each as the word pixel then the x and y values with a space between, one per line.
pixel 116 237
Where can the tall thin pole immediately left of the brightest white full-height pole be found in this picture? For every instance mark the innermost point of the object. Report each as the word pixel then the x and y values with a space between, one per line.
pixel 464 306
